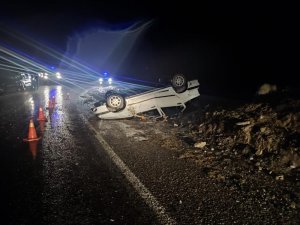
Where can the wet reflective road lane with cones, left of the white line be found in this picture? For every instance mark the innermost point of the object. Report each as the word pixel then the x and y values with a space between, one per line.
pixel 64 179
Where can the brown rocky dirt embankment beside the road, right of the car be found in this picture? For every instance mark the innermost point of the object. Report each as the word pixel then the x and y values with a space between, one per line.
pixel 245 146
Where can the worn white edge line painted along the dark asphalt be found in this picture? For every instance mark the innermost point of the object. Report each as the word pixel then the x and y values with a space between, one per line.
pixel 150 200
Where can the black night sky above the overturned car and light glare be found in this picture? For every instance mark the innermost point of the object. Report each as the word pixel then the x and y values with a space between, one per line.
pixel 228 47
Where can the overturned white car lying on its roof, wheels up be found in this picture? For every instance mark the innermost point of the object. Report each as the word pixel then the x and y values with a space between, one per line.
pixel 176 95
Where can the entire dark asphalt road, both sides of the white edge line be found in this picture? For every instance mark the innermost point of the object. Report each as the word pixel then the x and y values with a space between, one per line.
pixel 90 171
